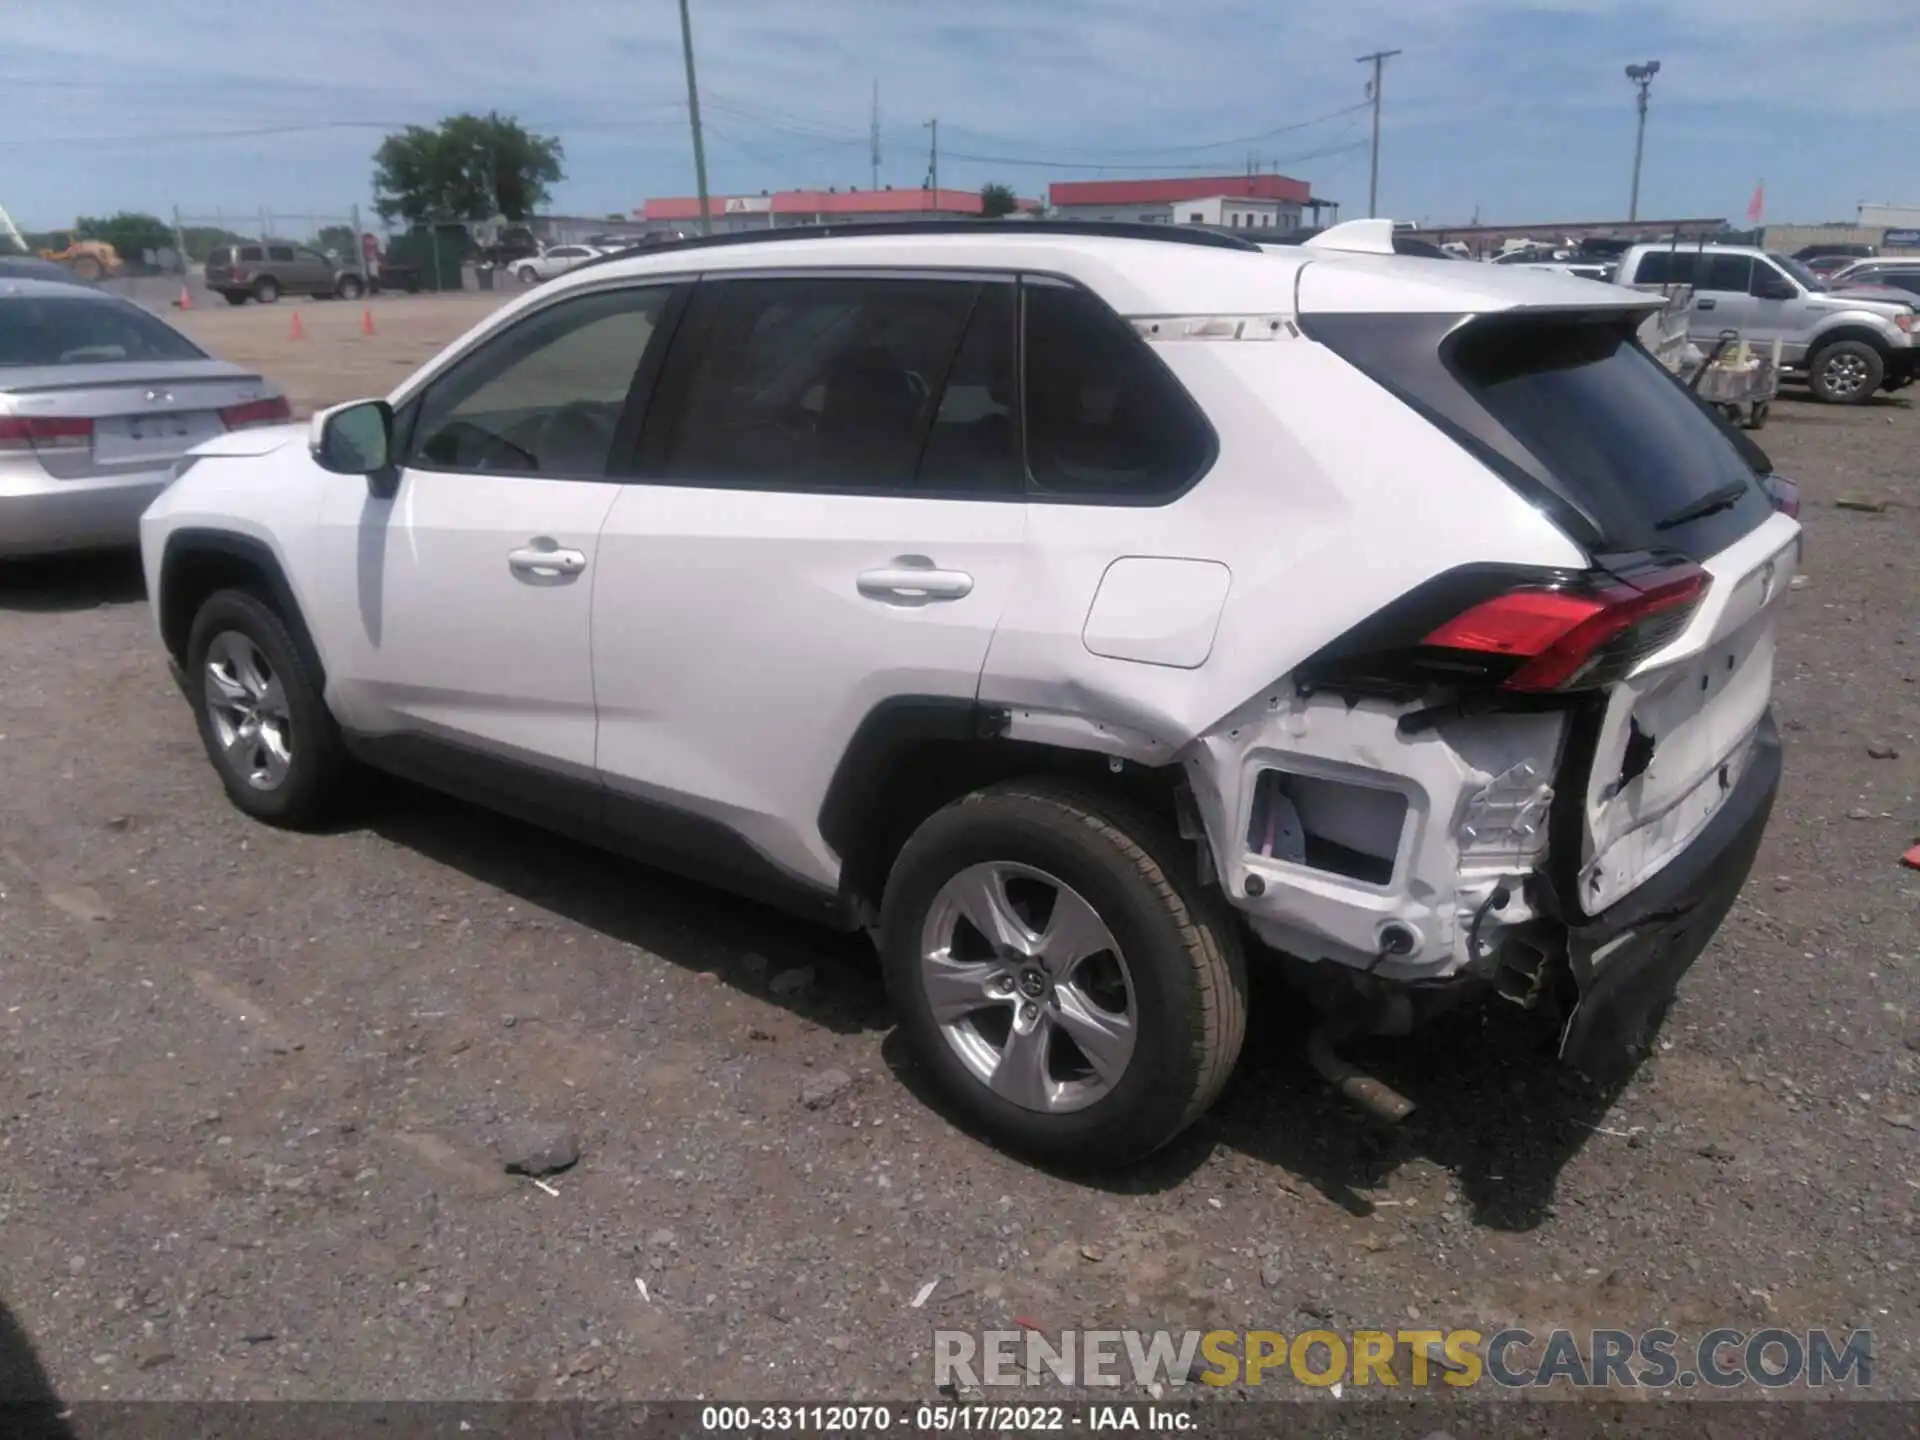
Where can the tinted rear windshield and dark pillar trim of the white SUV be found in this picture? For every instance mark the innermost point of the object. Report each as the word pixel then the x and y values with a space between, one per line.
pixel 1573 412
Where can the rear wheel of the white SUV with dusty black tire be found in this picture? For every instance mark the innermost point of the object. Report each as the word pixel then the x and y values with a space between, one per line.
pixel 1178 953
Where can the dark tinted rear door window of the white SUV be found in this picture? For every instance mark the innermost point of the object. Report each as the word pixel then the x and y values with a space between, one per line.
pixel 819 383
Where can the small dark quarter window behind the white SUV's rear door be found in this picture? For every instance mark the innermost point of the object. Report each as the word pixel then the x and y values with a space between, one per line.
pixel 1107 421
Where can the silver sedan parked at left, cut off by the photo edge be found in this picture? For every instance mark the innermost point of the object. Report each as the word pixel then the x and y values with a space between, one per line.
pixel 99 398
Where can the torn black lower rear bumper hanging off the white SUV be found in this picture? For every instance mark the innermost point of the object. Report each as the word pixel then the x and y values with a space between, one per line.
pixel 1629 961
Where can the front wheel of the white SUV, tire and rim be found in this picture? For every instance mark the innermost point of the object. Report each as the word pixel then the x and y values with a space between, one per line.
pixel 297 767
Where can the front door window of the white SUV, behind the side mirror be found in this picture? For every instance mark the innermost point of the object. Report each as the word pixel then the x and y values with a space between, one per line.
pixel 544 396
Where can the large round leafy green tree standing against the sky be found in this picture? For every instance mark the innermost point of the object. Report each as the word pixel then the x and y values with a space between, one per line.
pixel 469 168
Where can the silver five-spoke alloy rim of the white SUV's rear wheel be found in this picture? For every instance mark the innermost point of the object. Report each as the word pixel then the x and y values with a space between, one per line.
pixel 1028 988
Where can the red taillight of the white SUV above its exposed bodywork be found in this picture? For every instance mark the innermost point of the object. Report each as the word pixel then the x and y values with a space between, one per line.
pixel 1572 638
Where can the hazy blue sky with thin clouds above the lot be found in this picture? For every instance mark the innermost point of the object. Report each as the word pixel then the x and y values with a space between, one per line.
pixel 1520 112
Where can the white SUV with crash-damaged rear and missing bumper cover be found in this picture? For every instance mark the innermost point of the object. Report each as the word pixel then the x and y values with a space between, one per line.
pixel 1080 610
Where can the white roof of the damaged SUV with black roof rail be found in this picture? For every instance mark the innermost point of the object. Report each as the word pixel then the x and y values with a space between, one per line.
pixel 1140 270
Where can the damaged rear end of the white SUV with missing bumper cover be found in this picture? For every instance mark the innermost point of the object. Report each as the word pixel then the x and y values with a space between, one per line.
pixel 1541 780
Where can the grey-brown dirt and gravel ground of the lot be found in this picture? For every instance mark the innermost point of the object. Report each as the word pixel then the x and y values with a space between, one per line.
pixel 252 1084
